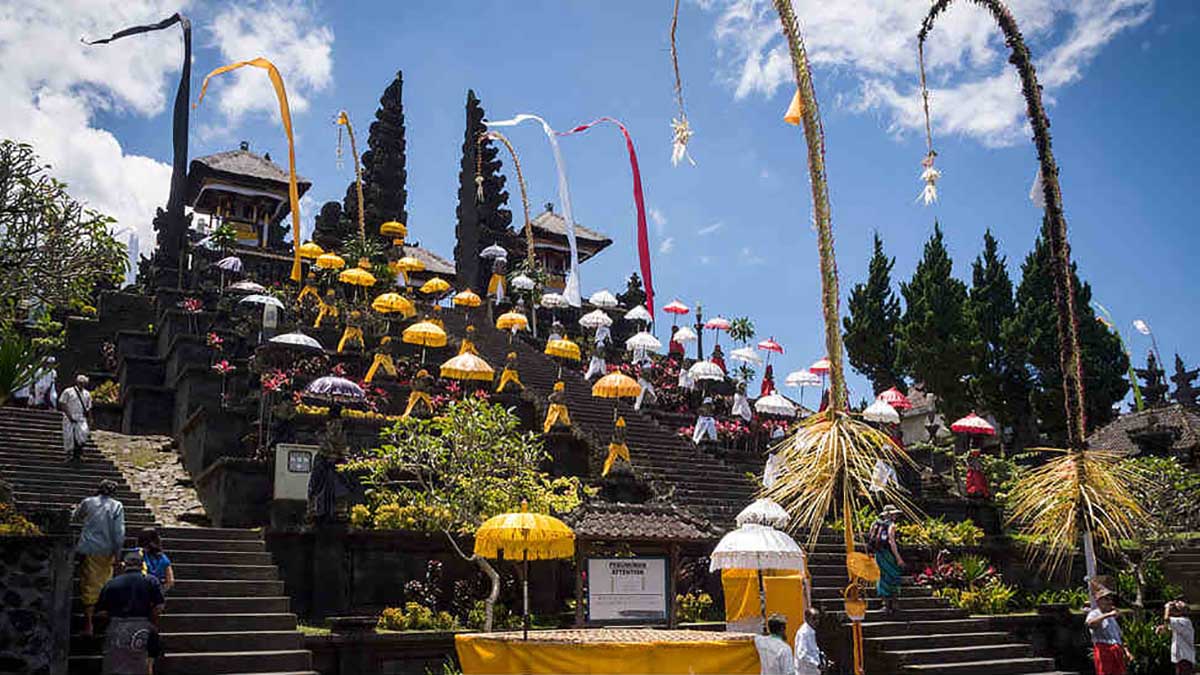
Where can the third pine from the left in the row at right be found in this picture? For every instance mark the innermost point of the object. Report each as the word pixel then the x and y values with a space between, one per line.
pixel 999 383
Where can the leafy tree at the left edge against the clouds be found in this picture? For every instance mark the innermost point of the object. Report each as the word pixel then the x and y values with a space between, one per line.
pixel 53 252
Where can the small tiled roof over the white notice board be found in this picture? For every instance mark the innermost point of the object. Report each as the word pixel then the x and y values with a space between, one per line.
pixel 601 521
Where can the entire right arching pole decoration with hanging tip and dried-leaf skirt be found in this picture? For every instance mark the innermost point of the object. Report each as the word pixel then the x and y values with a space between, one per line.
pixel 1085 493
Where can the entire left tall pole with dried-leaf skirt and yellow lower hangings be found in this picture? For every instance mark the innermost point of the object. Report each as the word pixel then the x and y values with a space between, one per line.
pixel 831 457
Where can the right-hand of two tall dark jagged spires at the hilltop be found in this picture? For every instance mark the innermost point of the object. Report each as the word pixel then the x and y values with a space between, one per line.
pixel 481 223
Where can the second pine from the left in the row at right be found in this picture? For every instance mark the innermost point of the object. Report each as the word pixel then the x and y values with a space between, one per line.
pixel 934 344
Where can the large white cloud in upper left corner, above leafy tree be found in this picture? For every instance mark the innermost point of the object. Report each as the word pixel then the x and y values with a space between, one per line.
pixel 55 87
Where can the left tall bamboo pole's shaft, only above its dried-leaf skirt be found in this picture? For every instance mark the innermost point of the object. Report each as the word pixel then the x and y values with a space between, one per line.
pixel 814 136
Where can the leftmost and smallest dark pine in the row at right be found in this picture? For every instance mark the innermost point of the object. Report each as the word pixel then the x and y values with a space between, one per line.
pixel 871 328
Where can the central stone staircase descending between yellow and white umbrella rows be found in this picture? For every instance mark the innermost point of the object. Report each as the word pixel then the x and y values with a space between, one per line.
pixel 707 487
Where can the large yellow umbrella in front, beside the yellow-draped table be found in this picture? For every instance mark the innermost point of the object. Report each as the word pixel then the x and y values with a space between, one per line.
pixel 529 536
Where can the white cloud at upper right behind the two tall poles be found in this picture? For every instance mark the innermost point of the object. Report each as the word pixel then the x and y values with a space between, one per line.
pixel 974 89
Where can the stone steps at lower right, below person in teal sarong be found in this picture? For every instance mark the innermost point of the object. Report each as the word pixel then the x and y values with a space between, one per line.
pixel 927 636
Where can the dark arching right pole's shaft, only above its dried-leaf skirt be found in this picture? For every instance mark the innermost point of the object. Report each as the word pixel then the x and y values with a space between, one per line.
pixel 1070 359
